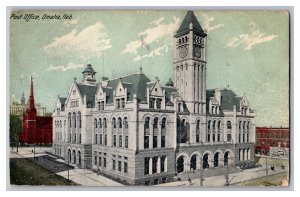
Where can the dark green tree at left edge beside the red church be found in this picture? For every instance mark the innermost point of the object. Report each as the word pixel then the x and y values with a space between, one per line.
pixel 15 128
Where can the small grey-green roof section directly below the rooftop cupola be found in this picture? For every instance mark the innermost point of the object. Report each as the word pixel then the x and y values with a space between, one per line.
pixel 88 91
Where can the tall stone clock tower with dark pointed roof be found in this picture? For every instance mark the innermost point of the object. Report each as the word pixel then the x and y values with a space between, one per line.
pixel 190 63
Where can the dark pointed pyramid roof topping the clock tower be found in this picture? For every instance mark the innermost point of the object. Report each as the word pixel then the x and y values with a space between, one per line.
pixel 189 18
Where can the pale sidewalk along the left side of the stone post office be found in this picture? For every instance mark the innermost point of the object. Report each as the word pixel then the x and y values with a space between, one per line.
pixel 82 177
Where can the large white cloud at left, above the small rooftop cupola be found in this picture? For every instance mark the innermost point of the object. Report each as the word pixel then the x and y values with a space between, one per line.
pixel 89 42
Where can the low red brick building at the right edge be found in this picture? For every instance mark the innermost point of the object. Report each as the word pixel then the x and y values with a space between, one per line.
pixel 268 138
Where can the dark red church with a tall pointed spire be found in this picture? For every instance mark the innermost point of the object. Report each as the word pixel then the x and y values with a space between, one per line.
pixel 36 129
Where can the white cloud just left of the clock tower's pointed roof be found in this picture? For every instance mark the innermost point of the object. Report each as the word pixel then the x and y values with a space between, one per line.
pixel 159 30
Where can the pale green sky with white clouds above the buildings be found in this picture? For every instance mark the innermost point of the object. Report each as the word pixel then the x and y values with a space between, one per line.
pixel 248 49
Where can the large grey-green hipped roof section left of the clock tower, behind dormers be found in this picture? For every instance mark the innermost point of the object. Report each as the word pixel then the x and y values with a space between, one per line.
pixel 135 83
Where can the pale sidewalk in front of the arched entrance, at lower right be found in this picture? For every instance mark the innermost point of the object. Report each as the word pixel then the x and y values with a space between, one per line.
pixel 235 178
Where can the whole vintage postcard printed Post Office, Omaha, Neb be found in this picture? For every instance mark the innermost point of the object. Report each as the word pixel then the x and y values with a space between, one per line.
pixel 190 98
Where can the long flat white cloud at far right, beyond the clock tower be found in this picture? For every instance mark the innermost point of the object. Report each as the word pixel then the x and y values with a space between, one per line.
pixel 249 40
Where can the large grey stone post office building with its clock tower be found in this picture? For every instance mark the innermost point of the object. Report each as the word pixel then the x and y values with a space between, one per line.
pixel 141 131
